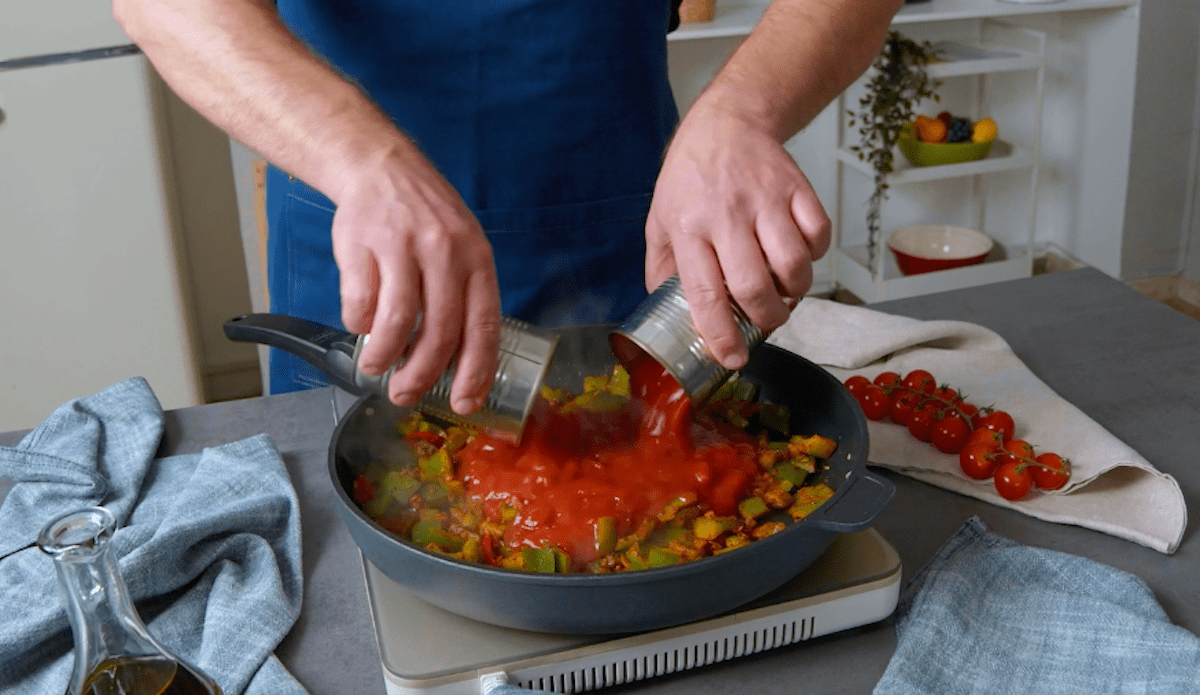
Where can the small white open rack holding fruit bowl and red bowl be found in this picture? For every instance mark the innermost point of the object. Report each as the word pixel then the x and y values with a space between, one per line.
pixel 999 49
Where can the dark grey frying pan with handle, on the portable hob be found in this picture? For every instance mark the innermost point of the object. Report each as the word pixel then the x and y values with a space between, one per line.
pixel 603 603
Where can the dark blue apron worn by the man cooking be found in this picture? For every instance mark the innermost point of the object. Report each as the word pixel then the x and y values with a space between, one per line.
pixel 549 117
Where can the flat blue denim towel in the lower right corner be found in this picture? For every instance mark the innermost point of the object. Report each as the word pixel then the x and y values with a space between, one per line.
pixel 992 616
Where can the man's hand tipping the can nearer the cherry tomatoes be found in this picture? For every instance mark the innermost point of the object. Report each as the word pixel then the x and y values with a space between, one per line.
pixel 733 212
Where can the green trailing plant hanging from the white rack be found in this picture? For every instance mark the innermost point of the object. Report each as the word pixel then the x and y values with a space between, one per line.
pixel 898 83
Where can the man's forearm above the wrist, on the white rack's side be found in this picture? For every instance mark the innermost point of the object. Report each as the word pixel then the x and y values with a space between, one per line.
pixel 799 59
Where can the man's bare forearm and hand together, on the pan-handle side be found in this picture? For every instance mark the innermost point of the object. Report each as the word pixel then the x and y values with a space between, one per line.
pixel 405 243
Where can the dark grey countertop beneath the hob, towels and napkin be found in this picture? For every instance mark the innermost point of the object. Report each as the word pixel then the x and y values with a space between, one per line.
pixel 1130 363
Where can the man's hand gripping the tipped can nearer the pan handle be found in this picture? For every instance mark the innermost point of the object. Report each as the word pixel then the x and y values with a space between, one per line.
pixel 417 274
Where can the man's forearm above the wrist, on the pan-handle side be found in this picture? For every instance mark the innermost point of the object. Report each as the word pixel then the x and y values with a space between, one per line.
pixel 238 65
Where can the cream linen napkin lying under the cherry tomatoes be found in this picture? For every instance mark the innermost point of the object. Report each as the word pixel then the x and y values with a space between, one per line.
pixel 1113 489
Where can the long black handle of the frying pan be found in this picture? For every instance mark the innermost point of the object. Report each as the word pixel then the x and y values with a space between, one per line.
pixel 329 350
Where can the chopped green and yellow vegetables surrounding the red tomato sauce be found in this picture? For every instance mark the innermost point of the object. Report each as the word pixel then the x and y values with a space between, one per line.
pixel 425 501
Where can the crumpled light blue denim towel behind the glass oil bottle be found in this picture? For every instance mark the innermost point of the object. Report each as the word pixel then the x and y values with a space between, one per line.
pixel 209 544
